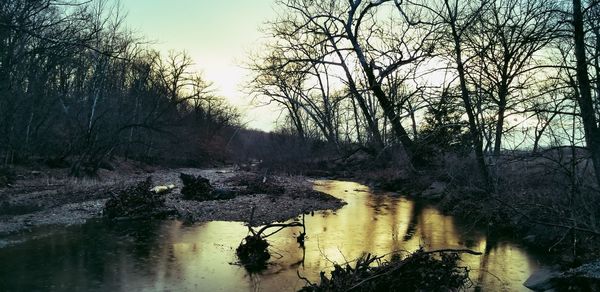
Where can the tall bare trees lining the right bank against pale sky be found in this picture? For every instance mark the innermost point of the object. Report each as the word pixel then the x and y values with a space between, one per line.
pixel 482 76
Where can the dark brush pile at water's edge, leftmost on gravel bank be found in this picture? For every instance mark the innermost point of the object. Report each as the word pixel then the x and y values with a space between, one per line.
pixel 134 202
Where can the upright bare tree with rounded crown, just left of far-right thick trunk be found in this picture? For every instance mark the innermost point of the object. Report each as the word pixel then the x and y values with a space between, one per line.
pixel 505 41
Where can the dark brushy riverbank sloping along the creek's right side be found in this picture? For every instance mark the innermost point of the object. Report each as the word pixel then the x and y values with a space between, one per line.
pixel 535 201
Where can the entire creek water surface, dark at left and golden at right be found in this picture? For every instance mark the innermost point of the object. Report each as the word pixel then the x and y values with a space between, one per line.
pixel 171 256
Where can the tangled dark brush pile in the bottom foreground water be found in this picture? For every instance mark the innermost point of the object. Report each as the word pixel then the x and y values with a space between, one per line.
pixel 420 271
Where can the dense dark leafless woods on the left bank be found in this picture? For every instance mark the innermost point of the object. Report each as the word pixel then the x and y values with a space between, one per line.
pixel 77 88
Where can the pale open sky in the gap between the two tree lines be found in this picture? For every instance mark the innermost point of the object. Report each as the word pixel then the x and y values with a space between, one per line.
pixel 217 34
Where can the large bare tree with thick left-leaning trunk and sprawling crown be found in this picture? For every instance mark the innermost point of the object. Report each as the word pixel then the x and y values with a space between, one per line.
pixel 356 38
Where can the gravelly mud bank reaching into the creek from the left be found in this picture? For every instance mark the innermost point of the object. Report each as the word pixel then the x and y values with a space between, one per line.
pixel 38 199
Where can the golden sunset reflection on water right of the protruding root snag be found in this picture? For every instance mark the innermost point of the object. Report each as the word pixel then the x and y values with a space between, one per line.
pixel 382 224
